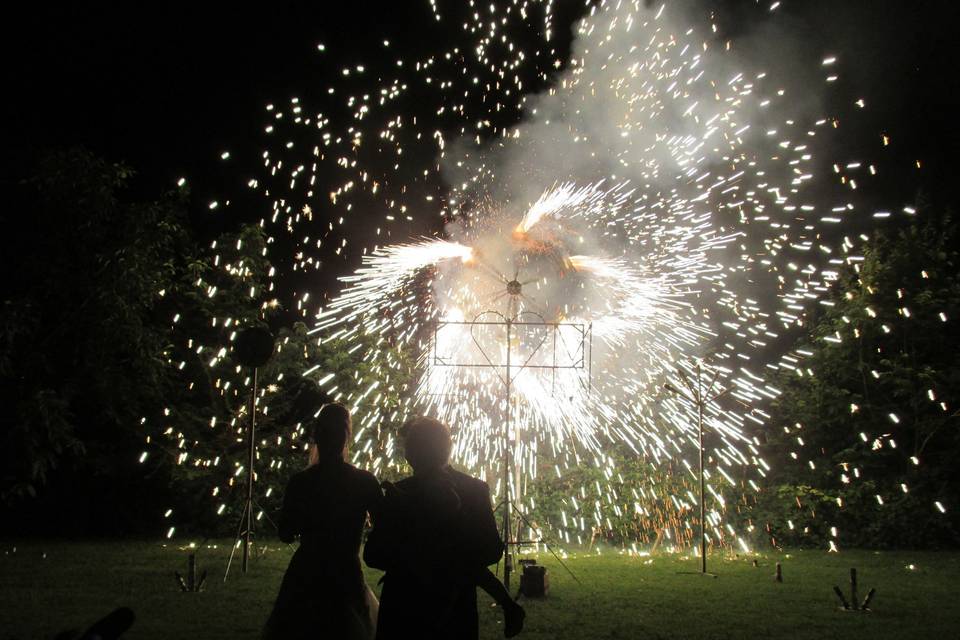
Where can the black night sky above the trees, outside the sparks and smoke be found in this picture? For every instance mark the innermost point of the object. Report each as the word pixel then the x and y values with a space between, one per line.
pixel 169 87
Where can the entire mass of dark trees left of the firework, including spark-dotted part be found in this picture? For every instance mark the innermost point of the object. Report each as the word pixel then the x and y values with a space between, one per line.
pixel 125 398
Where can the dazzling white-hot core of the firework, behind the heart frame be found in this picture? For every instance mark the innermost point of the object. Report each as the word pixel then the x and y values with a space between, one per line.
pixel 581 325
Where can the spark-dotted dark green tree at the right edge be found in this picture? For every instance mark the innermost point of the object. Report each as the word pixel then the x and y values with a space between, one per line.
pixel 865 433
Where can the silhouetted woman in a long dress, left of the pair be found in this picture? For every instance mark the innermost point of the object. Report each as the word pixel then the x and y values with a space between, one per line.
pixel 323 594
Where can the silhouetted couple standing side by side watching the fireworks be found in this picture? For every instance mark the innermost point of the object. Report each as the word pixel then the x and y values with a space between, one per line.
pixel 433 534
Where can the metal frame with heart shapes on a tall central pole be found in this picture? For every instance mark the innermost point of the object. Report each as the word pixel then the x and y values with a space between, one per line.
pixel 581 360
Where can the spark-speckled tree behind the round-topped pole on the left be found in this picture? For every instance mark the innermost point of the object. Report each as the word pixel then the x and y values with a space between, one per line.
pixel 200 435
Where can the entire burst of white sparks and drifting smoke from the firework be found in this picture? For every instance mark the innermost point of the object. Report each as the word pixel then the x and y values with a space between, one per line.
pixel 655 198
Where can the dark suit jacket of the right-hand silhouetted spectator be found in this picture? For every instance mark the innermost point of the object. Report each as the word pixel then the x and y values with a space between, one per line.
pixel 432 563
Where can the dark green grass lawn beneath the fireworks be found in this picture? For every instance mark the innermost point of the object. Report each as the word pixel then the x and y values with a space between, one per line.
pixel 49 587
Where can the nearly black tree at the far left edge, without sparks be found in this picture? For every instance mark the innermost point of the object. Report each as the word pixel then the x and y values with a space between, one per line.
pixel 81 351
